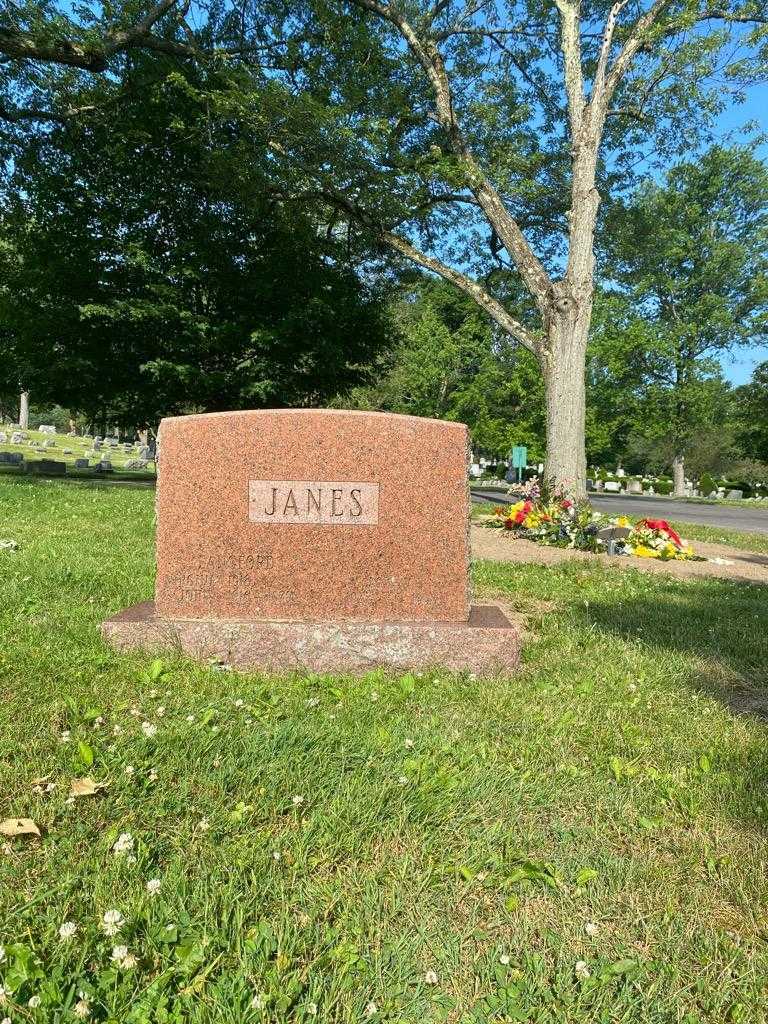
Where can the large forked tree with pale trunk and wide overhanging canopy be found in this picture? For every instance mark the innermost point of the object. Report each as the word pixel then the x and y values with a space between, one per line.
pixel 465 138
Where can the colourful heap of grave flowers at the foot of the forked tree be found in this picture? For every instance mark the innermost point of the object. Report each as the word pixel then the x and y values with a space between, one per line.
pixel 563 523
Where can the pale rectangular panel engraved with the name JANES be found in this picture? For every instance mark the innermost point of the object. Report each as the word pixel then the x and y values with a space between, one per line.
pixel 319 502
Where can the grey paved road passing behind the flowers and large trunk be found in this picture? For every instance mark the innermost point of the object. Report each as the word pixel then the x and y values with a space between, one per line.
pixel 754 521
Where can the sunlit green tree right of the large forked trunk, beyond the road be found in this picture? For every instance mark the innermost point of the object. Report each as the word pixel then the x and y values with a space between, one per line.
pixel 689 261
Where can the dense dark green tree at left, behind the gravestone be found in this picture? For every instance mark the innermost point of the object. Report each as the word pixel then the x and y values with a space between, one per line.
pixel 166 274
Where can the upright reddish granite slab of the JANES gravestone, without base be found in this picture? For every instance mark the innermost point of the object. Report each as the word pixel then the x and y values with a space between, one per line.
pixel 313 517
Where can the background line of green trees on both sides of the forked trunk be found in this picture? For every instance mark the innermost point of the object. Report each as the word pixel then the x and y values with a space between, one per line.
pixel 151 264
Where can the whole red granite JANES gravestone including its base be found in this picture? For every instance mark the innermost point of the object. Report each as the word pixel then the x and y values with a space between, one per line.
pixel 297 538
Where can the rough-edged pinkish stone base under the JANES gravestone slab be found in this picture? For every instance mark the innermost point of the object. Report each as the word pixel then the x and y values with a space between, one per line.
pixel 488 645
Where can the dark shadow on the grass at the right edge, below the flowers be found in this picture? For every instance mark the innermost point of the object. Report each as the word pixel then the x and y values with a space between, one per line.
pixel 724 626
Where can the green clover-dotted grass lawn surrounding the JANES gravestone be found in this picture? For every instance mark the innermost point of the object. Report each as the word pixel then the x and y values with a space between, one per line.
pixel 585 842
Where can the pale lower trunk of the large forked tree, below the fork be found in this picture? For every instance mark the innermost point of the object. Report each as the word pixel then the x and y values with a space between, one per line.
pixel 564 369
